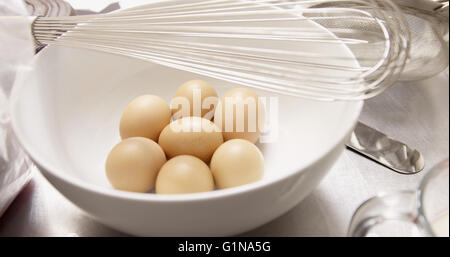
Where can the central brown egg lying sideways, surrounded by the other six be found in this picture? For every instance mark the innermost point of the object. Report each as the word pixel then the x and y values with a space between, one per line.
pixel 191 136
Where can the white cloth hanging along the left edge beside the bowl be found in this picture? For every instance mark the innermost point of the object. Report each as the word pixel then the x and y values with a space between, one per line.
pixel 16 51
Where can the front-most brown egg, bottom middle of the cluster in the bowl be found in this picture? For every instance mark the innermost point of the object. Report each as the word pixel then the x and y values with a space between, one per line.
pixel 184 174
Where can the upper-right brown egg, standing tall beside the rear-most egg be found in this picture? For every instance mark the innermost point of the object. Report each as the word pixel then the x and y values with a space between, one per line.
pixel 239 115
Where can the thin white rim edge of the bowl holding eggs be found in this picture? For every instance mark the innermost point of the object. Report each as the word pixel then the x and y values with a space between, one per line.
pixel 111 192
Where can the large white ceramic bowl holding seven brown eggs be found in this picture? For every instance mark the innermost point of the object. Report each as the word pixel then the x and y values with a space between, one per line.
pixel 66 114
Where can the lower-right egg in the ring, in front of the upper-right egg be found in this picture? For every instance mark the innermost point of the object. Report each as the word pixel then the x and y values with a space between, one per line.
pixel 237 162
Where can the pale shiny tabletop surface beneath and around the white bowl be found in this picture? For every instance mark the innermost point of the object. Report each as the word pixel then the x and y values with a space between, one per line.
pixel 416 113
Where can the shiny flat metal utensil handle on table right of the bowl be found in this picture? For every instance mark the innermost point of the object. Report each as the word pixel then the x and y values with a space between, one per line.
pixel 387 151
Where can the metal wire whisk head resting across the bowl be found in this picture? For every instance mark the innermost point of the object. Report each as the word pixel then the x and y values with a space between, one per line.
pixel 286 47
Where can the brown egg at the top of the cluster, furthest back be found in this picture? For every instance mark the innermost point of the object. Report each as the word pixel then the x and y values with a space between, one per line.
pixel 194 98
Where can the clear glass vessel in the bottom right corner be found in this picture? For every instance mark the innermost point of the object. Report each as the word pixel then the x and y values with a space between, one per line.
pixel 426 207
